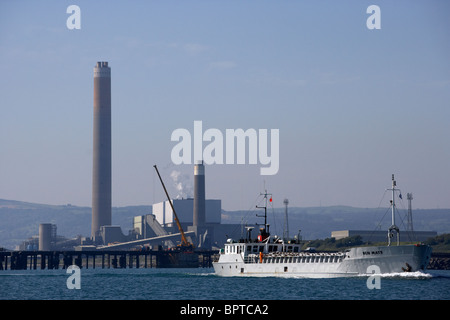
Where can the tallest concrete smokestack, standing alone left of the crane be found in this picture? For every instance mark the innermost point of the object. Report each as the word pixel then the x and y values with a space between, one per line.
pixel 101 170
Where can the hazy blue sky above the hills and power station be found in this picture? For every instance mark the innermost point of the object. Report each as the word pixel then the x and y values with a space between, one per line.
pixel 353 105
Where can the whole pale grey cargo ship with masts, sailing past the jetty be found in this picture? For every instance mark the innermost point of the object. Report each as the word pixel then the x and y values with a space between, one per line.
pixel 271 256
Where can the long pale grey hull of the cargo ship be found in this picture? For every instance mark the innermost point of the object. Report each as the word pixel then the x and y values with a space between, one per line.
pixel 354 262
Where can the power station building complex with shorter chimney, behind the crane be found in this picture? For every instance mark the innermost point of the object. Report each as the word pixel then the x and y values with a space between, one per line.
pixel 200 220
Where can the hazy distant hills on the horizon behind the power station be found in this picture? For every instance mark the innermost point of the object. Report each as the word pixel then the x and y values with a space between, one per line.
pixel 20 220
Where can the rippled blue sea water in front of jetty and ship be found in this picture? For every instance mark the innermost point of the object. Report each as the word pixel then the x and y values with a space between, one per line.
pixel 202 284
